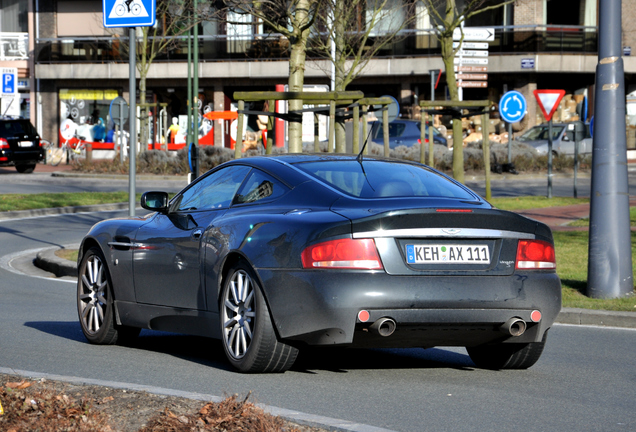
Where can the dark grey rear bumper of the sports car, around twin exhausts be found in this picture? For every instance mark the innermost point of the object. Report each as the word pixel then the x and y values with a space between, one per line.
pixel 321 308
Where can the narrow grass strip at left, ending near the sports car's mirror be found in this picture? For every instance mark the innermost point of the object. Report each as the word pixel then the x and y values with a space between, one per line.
pixel 14 202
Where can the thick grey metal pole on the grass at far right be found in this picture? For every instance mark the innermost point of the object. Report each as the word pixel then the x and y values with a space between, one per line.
pixel 610 255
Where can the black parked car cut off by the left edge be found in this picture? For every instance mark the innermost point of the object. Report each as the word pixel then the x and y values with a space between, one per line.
pixel 20 145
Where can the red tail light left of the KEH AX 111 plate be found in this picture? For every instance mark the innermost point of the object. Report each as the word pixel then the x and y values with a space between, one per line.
pixel 343 254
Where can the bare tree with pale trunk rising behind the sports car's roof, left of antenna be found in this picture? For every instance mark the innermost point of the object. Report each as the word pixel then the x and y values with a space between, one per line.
pixel 293 19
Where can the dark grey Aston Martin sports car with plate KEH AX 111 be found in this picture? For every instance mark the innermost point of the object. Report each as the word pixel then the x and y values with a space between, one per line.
pixel 270 254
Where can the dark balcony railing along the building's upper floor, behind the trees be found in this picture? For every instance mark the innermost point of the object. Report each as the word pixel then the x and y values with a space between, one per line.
pixel 264 47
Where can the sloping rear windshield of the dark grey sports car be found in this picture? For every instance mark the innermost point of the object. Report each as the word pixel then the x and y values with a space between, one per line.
pixel 380 179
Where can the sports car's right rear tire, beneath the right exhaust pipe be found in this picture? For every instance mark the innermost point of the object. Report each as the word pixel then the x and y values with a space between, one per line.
pixel 507 355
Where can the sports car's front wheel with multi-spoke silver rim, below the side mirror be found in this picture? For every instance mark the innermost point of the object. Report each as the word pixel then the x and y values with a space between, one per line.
pixel 95 302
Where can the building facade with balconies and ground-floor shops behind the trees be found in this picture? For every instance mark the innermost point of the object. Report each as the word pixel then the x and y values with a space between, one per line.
pixel 74 67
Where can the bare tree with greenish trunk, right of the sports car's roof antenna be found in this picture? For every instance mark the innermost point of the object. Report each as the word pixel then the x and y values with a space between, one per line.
pixel 446 16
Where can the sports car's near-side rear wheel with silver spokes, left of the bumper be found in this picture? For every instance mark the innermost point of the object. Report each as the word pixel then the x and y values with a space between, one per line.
pixel 248 336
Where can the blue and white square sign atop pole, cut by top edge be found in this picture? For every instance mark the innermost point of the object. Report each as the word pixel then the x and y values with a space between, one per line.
pixel 129 13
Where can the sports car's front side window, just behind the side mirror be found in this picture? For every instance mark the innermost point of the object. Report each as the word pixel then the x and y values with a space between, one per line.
pixel 213 191
